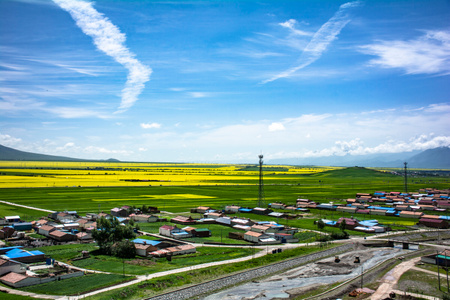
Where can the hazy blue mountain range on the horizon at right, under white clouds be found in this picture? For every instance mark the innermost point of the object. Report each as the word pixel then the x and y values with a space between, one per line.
pixel 437 158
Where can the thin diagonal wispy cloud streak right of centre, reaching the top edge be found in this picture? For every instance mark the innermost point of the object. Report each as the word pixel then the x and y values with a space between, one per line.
pixel 327 33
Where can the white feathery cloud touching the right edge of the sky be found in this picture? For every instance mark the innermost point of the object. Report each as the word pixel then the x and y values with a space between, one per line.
pixel 427 54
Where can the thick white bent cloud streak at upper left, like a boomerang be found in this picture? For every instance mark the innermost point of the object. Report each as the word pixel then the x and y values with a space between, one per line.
pixel 108 38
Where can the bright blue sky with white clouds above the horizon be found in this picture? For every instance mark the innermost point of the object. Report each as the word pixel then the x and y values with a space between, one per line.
pixel 223 81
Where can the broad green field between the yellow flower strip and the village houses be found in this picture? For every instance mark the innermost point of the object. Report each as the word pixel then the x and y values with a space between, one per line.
pixel 334 185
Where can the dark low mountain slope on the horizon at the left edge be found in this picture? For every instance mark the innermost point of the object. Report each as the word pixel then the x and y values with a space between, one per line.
pixel 7 153
